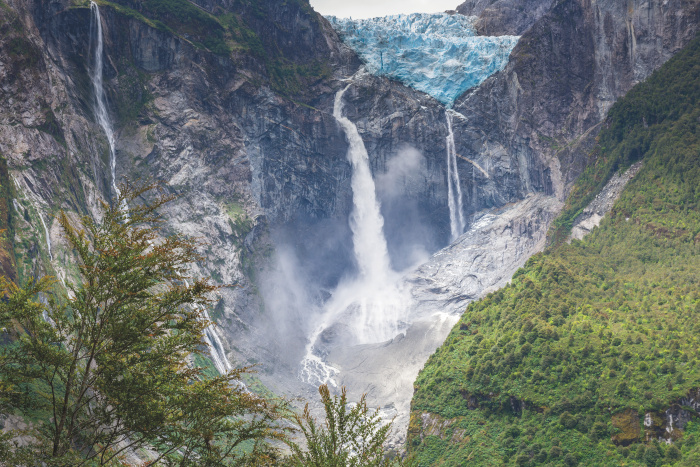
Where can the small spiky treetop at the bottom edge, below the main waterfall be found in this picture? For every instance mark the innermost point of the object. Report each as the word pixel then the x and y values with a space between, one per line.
pixel 351 436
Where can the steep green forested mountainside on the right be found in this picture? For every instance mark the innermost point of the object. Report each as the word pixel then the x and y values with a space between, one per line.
pixel 561 366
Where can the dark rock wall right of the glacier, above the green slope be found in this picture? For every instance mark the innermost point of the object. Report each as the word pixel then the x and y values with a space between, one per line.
pixel 569 67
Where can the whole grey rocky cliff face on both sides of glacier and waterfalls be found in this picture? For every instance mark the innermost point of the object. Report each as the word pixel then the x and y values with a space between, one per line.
pixel 236 118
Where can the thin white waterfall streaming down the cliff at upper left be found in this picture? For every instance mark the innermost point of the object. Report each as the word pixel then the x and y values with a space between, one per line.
pixel 100 100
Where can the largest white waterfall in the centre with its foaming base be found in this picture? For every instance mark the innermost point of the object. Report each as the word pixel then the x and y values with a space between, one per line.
pixel 371 306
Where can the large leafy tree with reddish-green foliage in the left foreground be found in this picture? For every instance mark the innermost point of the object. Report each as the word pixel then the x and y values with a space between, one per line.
pixel 107 368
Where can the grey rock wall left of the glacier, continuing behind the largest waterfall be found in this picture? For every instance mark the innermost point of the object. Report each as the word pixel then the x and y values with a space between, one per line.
pixel 248 153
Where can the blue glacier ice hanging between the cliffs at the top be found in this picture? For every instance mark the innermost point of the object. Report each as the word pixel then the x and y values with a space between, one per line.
pixel 436 53
